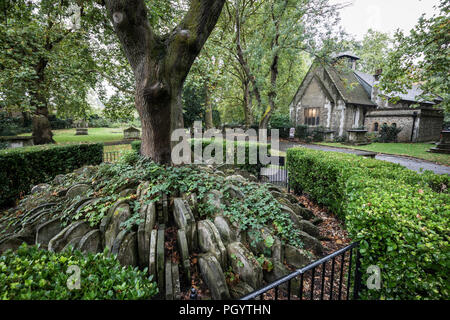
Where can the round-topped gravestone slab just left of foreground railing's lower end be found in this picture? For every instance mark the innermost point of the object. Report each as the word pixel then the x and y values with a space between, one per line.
pixel 213 276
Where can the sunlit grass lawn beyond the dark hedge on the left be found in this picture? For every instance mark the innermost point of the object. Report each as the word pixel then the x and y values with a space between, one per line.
pixel 94 135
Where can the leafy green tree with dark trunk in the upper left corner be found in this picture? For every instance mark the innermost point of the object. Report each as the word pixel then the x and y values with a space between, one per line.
pixel 44 62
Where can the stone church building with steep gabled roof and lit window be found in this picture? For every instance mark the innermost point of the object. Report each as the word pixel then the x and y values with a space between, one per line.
pixel 342 99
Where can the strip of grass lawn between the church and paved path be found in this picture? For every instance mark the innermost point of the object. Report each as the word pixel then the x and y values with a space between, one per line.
pixel 417 150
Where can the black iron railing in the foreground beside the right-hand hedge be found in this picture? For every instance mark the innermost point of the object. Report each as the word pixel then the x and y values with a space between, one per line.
pixel 319 280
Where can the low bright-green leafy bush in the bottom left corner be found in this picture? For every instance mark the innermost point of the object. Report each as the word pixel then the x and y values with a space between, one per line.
pixel 31 273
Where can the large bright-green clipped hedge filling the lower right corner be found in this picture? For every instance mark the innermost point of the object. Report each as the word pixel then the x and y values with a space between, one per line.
pixel 400 217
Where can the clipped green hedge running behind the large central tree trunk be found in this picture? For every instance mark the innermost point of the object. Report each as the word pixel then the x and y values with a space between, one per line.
pixel 253 168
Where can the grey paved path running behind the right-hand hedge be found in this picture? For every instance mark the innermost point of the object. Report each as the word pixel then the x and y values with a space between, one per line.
pixel 412 164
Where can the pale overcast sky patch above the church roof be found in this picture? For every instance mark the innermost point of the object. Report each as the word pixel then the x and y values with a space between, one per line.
pixel 383 15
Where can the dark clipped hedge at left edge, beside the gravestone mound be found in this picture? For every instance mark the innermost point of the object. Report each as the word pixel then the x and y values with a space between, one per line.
pixel 22 168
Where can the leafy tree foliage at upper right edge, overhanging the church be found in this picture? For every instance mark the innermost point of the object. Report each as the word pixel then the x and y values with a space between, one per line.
pixel 422 57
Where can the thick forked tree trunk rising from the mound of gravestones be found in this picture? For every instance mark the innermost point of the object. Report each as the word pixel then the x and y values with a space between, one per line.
pixel 160 65
